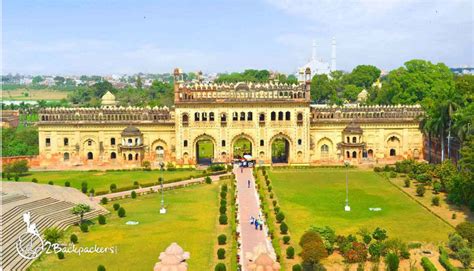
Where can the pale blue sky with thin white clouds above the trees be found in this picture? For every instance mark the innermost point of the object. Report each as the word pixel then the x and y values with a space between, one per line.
pixel 75 37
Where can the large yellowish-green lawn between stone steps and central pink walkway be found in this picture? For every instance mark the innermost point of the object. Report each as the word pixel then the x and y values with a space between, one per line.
pixel 191 221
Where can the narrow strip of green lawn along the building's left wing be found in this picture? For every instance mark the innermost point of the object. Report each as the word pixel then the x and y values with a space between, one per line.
pixel 101 180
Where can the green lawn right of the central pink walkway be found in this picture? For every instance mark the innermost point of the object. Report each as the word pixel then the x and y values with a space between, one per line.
pixel 317 197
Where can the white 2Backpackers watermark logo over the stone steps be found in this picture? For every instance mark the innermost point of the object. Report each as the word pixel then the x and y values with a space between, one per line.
pixel 30 245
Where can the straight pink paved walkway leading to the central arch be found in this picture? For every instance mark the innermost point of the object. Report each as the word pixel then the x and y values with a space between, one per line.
pixel 249 205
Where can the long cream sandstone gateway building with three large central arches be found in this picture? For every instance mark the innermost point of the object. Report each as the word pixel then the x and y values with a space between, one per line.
pixel 220 115
